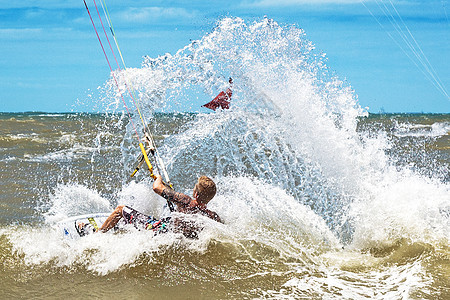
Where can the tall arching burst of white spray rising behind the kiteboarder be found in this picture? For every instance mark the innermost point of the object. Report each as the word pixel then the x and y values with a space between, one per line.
pixel 292 124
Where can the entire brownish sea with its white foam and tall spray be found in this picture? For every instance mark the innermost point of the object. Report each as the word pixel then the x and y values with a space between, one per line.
pixel 319 198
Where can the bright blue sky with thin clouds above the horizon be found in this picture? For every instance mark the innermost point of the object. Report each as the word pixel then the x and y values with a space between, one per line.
pixel 50 58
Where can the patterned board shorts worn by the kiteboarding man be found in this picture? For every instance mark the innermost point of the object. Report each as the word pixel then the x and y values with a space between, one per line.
pixel 142 221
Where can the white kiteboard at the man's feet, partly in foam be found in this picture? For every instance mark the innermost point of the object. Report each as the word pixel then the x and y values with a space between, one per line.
pixel 73 227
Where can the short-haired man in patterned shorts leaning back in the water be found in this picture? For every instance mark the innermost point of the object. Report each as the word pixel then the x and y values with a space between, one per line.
pixel 204 191
